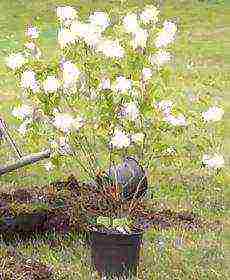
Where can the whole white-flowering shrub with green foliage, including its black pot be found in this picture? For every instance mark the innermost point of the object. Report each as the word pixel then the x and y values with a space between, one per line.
pixel 105 101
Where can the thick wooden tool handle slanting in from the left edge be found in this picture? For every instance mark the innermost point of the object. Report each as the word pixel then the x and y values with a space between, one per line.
pixel 25 161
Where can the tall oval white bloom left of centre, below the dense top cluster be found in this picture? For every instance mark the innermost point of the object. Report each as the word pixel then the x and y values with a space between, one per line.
pixel 70 73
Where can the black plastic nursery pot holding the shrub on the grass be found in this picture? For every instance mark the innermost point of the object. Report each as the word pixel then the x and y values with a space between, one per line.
pixel 115 254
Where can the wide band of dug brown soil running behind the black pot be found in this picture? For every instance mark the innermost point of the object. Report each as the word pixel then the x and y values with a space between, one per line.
pixel 62 213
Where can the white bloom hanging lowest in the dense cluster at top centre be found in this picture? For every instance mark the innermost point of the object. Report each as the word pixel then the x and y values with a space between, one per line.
pixel 111 49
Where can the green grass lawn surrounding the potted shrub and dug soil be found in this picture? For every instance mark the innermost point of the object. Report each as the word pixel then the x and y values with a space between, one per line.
pixel 204 41
